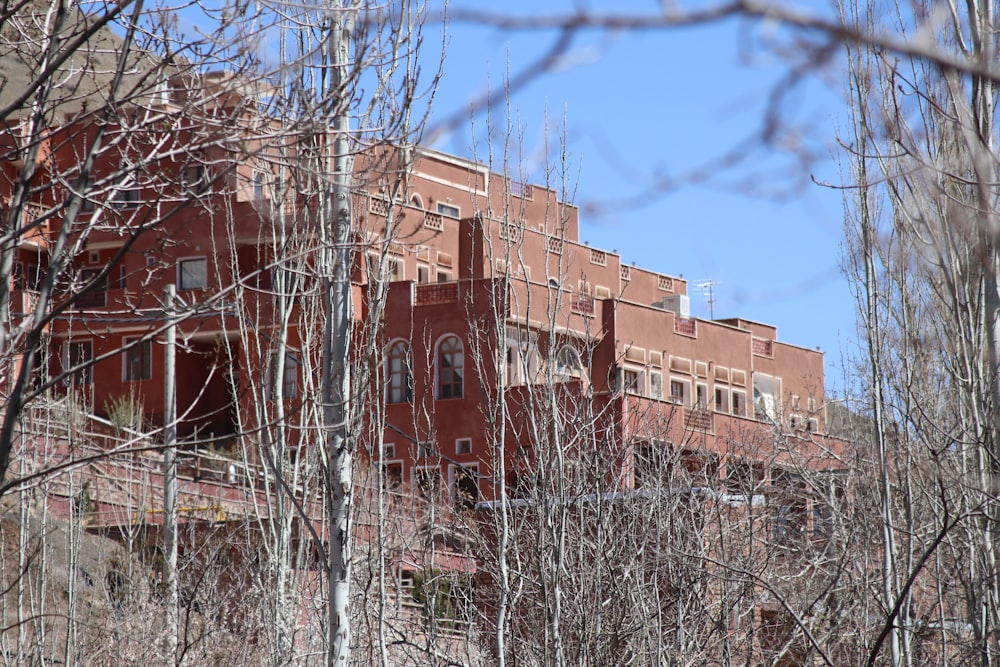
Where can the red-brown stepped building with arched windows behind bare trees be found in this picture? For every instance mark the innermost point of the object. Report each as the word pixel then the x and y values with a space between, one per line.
pixel 491 294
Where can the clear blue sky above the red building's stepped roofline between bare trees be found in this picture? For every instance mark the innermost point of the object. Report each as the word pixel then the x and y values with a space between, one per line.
pixel 641 109
